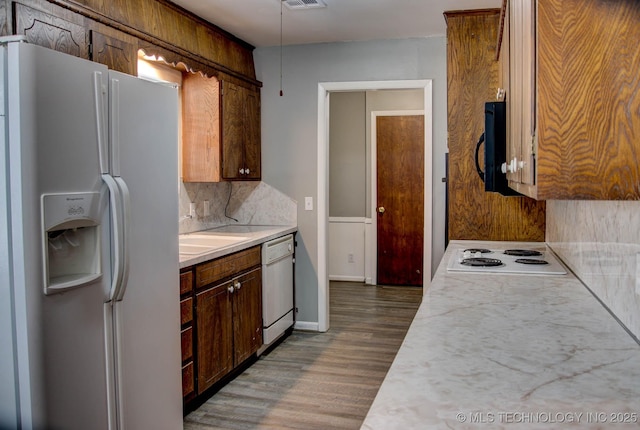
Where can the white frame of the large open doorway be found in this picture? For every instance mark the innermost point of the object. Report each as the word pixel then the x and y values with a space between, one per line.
pixel 324 88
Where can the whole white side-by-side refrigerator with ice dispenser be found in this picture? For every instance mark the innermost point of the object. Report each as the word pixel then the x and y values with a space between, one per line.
pixel 89 276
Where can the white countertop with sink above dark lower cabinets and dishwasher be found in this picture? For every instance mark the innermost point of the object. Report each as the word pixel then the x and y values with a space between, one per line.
pixel 256 235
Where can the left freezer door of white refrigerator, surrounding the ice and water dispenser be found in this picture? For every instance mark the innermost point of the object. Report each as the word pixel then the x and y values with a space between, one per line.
pixel 59 339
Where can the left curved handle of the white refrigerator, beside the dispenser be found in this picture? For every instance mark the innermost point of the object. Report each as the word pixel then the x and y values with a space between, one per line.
pixel 117 227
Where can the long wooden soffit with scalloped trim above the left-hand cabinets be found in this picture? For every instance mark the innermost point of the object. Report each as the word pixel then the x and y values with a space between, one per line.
pixel 159 27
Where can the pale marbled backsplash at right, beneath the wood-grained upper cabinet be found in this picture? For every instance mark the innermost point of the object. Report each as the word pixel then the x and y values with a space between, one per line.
pixel 600 242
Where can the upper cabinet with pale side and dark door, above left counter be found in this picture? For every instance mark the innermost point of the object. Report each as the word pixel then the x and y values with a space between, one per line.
pixel 221 130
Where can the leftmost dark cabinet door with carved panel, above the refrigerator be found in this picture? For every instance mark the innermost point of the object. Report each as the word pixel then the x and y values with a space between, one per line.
pixel 50 31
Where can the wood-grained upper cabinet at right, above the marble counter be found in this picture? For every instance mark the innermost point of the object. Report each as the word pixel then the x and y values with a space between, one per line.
pixel 582 100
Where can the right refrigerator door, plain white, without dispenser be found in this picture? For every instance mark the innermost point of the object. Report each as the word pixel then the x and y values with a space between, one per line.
pixel 144 136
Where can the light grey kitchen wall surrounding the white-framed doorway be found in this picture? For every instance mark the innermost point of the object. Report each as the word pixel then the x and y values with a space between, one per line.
pixel 289 127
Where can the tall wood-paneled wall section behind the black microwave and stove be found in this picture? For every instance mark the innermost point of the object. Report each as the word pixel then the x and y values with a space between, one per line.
pixel 472 74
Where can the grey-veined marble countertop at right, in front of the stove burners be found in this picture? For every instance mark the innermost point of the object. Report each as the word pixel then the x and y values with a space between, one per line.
pixel 510 351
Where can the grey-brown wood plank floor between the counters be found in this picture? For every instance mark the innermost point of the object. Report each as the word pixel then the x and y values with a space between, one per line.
pixel 319 380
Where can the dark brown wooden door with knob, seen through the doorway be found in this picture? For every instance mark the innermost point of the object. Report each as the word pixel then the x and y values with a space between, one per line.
pixel 397 140
